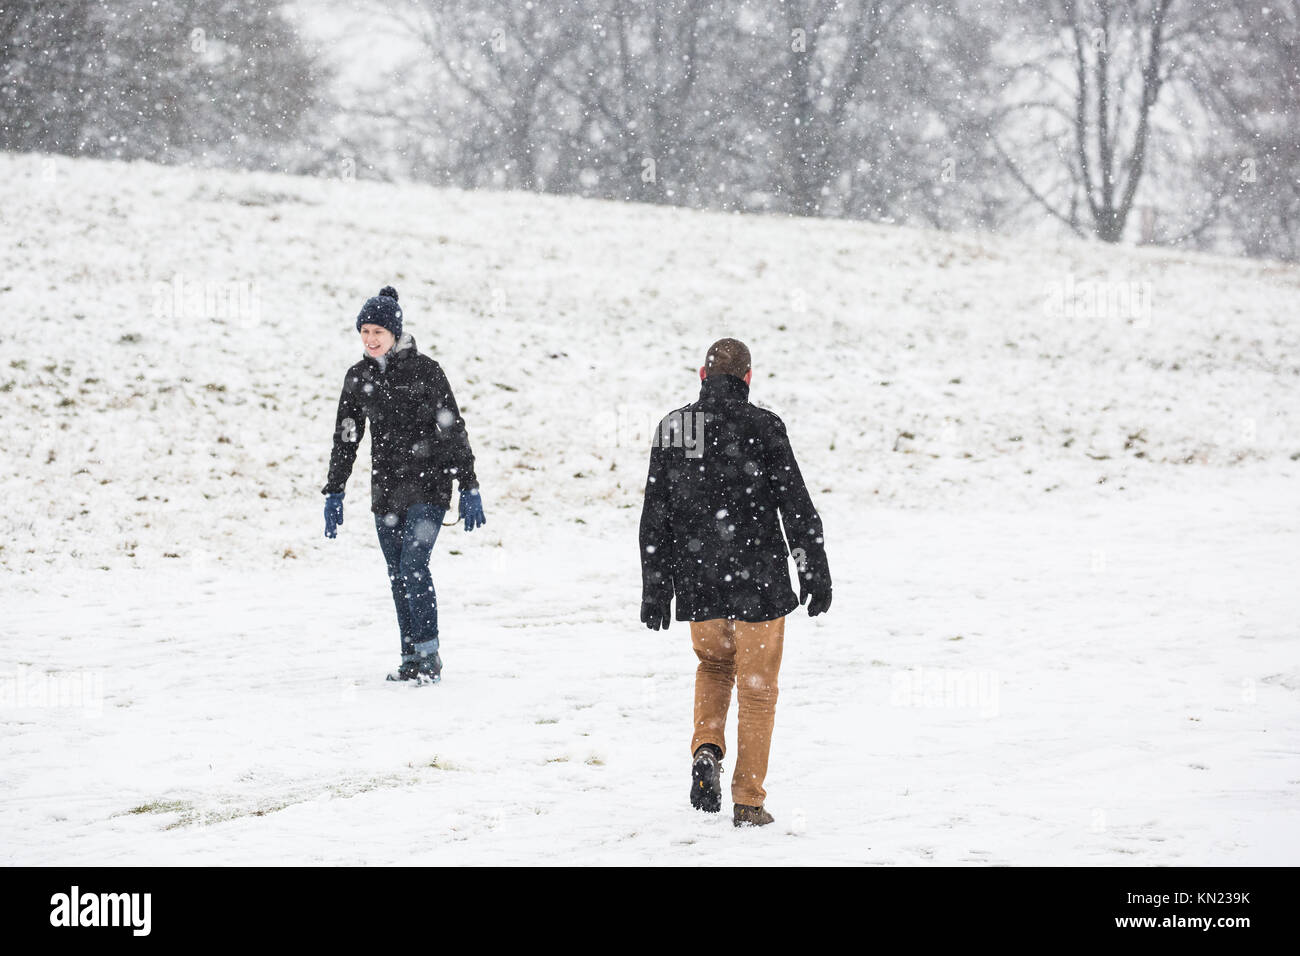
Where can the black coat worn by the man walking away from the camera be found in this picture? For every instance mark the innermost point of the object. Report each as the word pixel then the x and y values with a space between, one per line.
pixel 722 482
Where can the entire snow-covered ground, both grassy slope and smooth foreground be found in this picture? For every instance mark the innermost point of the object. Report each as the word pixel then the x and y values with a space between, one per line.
pixel 1059 483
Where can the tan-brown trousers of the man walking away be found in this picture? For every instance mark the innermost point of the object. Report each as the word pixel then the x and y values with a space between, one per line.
pixel 736 654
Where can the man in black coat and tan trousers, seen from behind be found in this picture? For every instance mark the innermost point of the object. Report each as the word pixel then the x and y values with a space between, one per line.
pixel 722 482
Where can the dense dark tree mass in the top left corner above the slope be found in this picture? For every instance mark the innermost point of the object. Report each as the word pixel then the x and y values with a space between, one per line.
pixel 218 81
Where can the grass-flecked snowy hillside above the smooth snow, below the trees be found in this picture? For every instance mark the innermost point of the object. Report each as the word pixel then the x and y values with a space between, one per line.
pixel 180 339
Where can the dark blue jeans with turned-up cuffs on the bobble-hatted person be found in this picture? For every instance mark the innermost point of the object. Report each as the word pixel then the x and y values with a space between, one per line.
pixel 408 544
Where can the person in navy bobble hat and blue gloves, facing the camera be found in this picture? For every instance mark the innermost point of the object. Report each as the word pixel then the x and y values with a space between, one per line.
pixel 418 445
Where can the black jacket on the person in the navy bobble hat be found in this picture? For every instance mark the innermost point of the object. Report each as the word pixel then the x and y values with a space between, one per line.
pixel 418 438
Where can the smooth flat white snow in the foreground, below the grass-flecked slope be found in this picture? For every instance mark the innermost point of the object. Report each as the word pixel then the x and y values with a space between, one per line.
pixel 991 689
